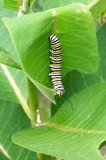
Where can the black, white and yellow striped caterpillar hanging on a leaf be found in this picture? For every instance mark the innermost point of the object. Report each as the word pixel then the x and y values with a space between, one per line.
pixel 55 66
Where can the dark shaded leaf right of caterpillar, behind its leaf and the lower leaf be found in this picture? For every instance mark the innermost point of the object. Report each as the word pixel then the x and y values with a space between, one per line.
pixel 78 81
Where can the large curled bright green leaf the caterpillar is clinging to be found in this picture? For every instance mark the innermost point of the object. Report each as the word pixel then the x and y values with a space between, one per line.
pixel 74 26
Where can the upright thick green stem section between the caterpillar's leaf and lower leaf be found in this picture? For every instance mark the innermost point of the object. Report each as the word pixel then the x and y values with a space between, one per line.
pixel 33 101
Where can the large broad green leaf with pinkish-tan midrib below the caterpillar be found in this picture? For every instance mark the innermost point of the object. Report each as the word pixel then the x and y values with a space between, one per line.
pixel 71 133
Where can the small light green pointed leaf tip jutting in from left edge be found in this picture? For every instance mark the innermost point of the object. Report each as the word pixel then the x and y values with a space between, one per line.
pixel 6 59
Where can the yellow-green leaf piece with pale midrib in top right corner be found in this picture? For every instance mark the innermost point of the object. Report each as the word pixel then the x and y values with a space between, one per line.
pixel 97 7
